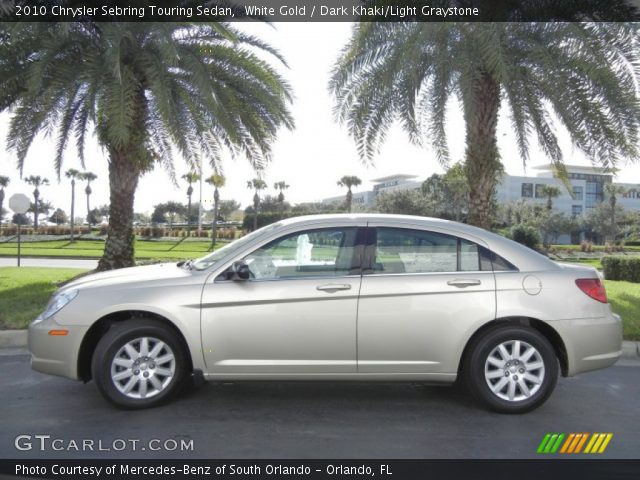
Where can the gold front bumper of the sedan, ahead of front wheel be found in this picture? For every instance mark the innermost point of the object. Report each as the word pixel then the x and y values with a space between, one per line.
pixel 55 355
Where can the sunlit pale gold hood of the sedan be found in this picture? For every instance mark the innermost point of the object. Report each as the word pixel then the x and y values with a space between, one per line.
pixel 158 272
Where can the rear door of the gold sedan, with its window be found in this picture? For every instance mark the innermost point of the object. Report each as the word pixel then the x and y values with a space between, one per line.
pixel 422 292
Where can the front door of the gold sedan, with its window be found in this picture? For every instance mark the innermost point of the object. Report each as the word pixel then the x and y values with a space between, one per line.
pixel 295 315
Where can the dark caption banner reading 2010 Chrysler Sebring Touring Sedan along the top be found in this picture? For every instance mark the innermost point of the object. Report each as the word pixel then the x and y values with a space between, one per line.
pixel 319 10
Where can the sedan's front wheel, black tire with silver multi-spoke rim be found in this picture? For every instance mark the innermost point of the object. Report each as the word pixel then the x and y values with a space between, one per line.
pixel 154 379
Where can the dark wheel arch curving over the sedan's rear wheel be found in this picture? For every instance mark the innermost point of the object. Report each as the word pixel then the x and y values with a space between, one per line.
pixel 546 330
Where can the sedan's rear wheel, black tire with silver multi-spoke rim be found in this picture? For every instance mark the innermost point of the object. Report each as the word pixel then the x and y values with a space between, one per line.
pixel 511 369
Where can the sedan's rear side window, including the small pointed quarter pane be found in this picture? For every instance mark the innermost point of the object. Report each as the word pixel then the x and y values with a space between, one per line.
pixel 416 251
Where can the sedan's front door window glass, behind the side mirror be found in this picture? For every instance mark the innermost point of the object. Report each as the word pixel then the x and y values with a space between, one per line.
pixel 321 253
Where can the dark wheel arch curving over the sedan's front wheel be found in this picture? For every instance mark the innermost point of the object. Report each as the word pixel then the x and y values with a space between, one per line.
pixel 102 326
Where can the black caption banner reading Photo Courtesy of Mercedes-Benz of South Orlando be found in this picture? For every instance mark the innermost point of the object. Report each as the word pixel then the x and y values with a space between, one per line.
pixel 322 469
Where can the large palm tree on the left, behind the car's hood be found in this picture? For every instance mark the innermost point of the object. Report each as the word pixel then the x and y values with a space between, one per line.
pixel 148 90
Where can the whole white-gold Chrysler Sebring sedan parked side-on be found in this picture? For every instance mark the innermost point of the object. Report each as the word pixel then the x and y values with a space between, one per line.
pixel 336 297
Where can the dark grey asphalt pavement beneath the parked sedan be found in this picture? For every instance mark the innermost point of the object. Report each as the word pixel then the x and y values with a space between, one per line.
pixel 306 420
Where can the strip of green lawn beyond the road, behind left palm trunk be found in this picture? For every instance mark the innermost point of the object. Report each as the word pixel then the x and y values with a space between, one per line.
pixel 144 249
